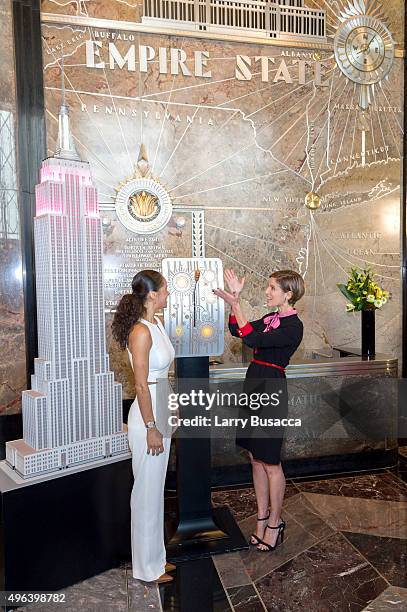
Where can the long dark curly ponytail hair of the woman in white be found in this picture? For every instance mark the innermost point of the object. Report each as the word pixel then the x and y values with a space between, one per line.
pixel 132 305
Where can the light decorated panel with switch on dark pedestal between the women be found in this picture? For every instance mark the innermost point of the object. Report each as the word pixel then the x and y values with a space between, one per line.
pixel 194 321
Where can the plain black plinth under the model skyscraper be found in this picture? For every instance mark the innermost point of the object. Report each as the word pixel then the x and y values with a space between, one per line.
pixel 59 531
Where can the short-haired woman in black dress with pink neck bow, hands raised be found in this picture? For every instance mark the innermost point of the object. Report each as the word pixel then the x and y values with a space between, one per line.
pixel 274 339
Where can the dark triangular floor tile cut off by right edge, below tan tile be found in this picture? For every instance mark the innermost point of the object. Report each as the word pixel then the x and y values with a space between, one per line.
pixel 387 555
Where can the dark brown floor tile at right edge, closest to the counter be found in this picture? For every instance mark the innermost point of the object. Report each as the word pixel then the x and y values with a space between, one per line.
pixel 383 486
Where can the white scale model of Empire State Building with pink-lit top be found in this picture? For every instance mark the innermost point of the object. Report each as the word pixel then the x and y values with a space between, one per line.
pixel 73 413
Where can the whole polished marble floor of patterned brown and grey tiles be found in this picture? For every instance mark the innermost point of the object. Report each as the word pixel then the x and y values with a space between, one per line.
pixel 345 550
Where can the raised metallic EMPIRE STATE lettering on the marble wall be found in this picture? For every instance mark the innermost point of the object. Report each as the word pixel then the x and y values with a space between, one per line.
pixel 176 61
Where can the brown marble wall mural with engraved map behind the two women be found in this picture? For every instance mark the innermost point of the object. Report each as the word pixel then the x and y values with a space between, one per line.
pixel 239 129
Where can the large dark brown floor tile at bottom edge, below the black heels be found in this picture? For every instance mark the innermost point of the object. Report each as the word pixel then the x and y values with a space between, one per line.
pixel 328 576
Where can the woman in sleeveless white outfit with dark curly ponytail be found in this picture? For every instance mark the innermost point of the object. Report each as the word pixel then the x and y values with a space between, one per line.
pixel 151 353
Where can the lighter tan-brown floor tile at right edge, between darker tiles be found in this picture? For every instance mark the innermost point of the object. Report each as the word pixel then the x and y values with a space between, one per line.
pixel 376 517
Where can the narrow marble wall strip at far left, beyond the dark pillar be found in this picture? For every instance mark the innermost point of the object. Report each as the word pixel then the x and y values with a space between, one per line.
pixel 12 363
